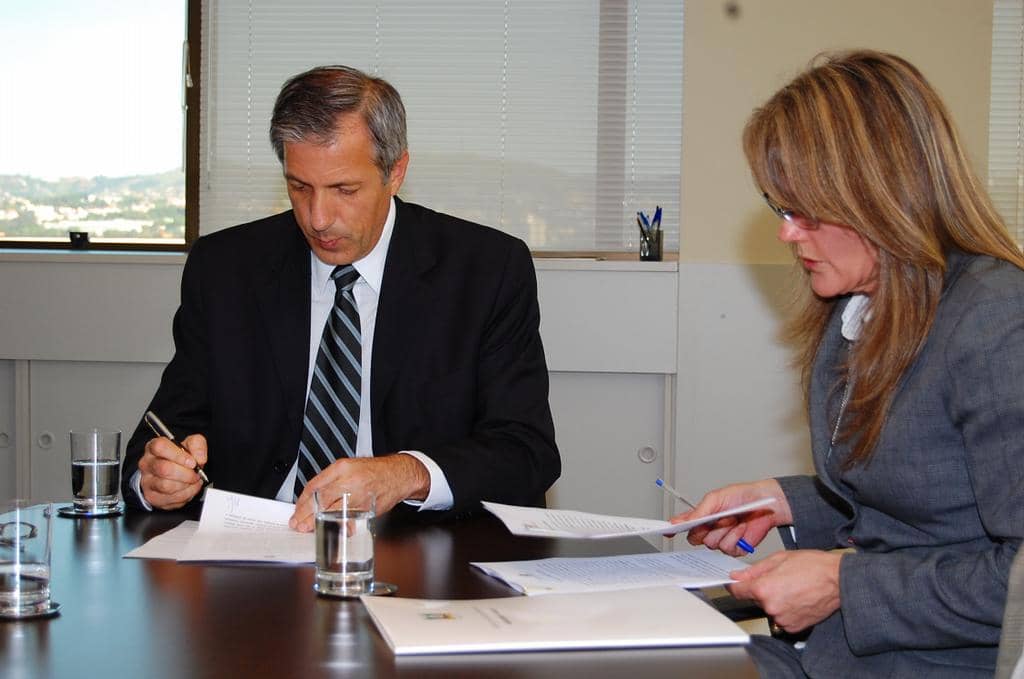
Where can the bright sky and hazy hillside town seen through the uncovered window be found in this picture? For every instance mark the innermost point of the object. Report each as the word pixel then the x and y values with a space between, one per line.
pixel 93 90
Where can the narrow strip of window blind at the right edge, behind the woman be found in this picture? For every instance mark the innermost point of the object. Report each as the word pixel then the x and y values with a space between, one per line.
pixel 1006 123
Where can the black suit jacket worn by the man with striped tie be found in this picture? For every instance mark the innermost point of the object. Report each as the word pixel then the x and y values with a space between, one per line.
pixel 458 367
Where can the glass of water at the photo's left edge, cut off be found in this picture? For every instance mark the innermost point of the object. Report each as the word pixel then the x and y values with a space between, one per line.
pixel 25 561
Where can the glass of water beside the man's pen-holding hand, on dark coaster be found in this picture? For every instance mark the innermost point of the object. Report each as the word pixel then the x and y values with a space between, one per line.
pixel 96 473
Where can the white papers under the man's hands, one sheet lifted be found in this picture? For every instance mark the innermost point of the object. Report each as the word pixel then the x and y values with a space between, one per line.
pixel 234 528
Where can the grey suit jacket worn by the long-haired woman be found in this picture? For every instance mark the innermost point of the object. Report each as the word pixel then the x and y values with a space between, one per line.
pixel 937 516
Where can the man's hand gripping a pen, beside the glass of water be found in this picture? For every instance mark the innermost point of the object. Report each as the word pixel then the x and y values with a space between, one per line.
pixel 168 474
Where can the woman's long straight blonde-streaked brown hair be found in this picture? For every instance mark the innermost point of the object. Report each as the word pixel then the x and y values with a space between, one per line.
pixel 863 140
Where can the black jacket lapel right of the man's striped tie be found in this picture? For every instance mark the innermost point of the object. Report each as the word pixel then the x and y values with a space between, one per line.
pixel 401 305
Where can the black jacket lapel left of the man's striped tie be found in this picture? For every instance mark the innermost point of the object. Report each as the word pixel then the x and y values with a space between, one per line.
pixel 283 296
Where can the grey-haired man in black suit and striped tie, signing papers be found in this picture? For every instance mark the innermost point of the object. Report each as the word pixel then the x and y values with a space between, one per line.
pixel 452 404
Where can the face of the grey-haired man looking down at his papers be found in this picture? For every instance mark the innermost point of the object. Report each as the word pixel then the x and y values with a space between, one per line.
pixel 339 198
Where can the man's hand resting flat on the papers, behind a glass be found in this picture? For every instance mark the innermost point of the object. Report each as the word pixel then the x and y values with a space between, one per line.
pixel 390 479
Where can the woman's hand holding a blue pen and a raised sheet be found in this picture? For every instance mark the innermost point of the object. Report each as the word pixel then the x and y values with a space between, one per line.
pixel 752 527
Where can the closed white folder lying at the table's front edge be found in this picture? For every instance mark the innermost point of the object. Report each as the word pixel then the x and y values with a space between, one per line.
pixel 642 618
